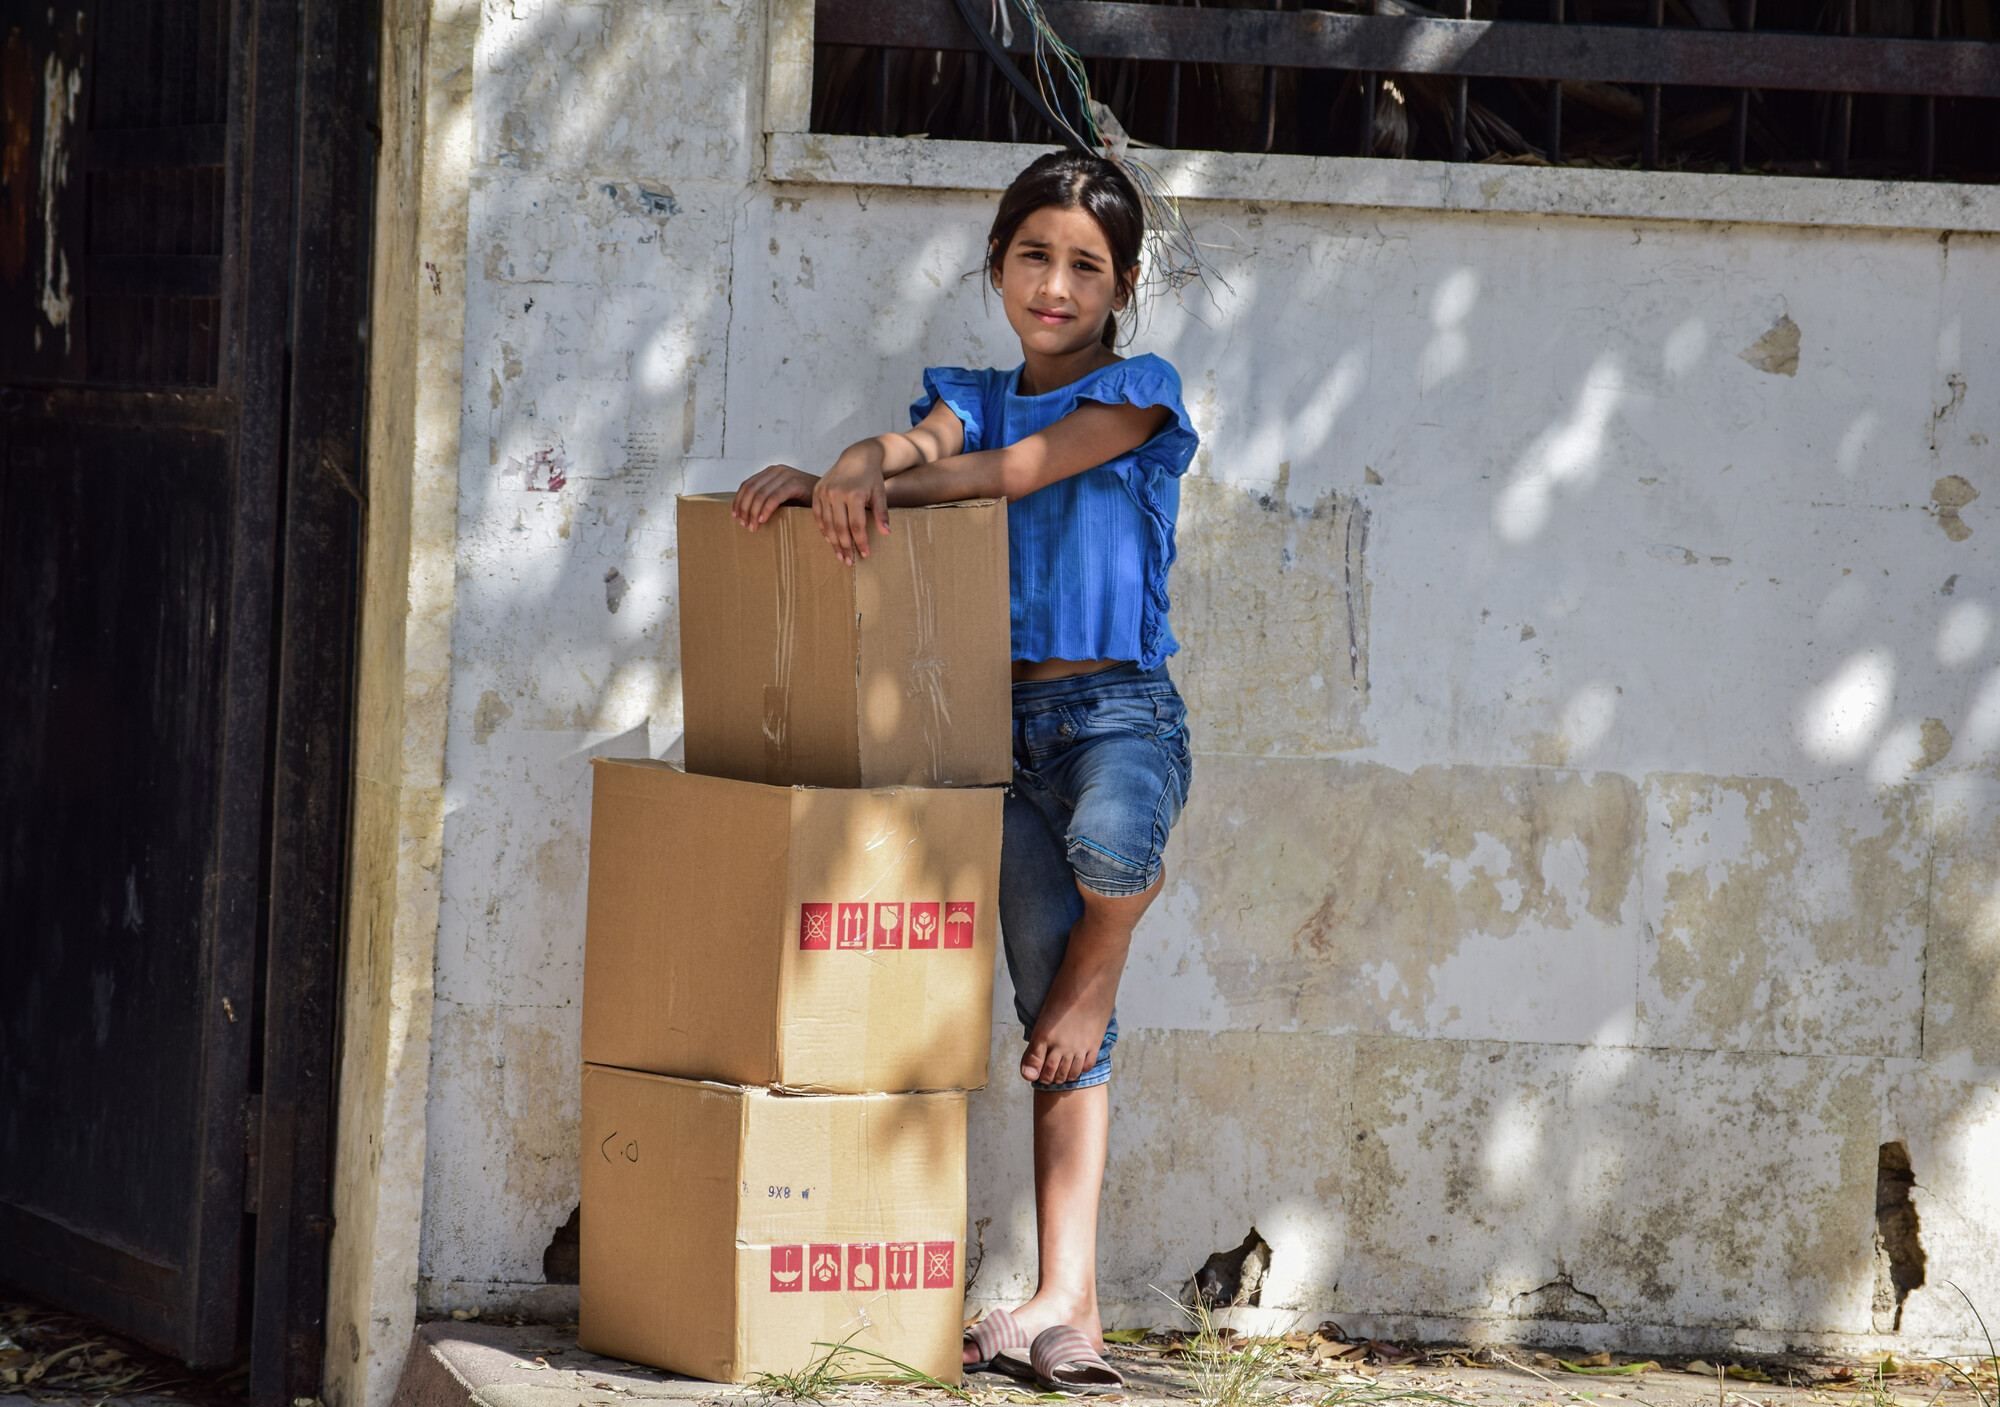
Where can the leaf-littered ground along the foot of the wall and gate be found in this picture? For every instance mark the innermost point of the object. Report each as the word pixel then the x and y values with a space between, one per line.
pixel 61 1362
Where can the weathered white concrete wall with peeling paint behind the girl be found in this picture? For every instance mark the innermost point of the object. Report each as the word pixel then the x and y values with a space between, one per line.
pixel 1595 846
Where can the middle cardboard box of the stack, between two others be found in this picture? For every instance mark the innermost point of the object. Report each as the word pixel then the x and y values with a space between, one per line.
pixel 827 940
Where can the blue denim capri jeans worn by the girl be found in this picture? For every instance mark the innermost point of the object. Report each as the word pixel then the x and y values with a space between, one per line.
pixel 1101 772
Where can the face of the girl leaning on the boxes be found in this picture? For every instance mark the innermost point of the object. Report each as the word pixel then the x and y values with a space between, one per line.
pixel 1059 285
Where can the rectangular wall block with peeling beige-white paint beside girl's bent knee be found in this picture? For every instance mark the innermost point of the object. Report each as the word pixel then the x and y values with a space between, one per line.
pixel 1439 902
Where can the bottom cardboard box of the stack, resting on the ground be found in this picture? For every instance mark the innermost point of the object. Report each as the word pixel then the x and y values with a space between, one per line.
pixel 727 1232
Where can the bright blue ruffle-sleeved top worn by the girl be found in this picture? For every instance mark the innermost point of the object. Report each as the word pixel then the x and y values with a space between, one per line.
pixel 1087 555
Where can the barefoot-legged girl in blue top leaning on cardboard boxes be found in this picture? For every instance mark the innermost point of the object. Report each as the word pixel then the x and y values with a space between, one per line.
pixel 1089 451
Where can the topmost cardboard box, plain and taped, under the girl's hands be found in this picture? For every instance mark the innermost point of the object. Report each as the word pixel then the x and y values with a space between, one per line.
pixel 801 671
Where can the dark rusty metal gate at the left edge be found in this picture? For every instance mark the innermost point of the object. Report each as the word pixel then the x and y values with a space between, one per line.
pixel 183 271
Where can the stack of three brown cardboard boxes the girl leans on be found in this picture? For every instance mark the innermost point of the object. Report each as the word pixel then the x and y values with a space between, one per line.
pixel 791 950
